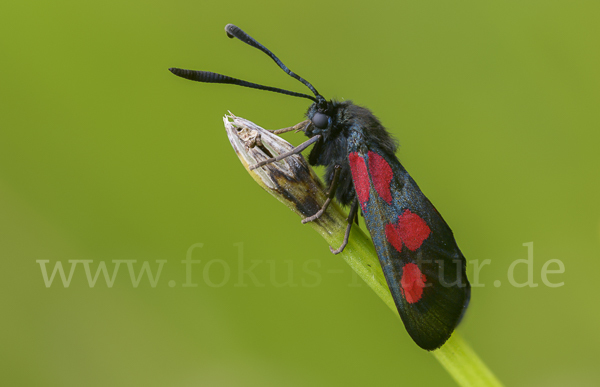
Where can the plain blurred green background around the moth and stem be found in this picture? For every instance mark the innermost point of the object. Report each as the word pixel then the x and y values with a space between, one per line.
pixel 105 155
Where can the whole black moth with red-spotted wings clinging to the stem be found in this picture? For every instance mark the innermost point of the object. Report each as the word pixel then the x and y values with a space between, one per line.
pixel 423 266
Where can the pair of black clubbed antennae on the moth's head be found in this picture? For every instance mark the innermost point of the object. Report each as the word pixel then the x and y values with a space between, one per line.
pixel 210 77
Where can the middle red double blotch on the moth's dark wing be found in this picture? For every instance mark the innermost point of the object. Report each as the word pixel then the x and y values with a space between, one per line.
pixel 410 231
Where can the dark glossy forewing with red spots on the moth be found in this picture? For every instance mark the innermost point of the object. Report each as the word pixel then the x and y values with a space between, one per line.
pixel 422 263
